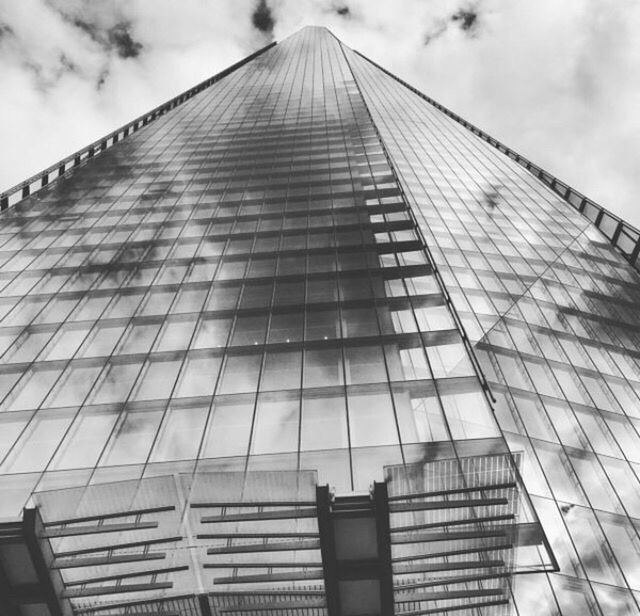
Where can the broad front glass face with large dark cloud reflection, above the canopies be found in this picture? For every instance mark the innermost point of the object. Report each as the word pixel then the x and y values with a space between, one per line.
pixel 238 286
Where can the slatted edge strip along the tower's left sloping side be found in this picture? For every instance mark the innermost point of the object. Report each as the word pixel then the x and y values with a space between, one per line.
pixel 62 167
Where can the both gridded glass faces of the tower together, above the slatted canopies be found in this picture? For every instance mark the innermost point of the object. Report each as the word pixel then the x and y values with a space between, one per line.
pixel 306 266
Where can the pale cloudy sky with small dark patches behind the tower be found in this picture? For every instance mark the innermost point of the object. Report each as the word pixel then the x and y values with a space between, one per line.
pixel 559 81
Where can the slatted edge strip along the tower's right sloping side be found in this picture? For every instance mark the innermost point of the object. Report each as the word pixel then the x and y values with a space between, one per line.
pixel 623 236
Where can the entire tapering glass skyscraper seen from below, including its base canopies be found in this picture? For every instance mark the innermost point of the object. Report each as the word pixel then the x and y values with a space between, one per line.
pixel 301 341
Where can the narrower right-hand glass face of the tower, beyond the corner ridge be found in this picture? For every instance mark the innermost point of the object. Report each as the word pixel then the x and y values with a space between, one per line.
pixel 553 310
